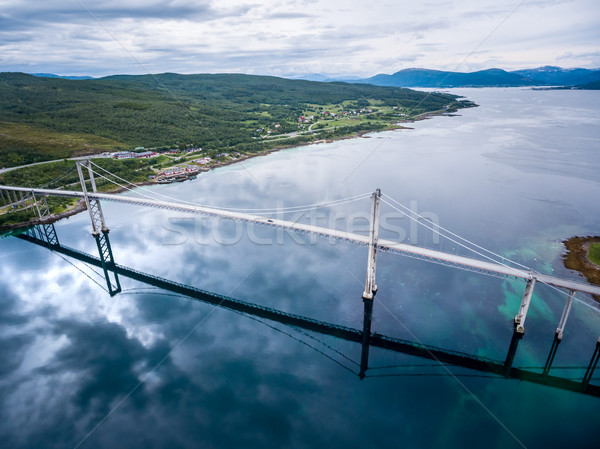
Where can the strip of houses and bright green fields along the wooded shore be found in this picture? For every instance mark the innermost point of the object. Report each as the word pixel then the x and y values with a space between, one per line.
pixel 185 161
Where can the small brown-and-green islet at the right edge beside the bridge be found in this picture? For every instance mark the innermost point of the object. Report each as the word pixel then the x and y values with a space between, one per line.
pixel 583 255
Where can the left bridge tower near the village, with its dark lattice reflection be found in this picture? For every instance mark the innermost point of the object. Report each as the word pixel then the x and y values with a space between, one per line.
pixel 99 229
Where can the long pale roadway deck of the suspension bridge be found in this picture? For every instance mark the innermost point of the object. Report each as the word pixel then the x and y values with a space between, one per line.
pixel 462 262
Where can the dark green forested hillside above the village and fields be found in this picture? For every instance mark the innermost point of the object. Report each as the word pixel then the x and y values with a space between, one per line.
pixel 49 118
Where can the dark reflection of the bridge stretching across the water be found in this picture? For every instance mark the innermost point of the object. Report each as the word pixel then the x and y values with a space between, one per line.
pixel 45 236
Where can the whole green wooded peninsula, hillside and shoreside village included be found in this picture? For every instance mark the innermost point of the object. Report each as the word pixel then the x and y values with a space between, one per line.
pixel 168 127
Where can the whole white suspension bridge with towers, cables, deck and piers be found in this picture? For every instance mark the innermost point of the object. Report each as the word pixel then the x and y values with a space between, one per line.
pixel 488 263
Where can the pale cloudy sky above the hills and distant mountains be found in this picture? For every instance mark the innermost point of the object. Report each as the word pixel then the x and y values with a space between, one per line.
pixel 295 37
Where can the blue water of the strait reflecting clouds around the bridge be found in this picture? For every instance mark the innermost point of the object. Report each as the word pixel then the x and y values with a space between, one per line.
pixel 148 368
